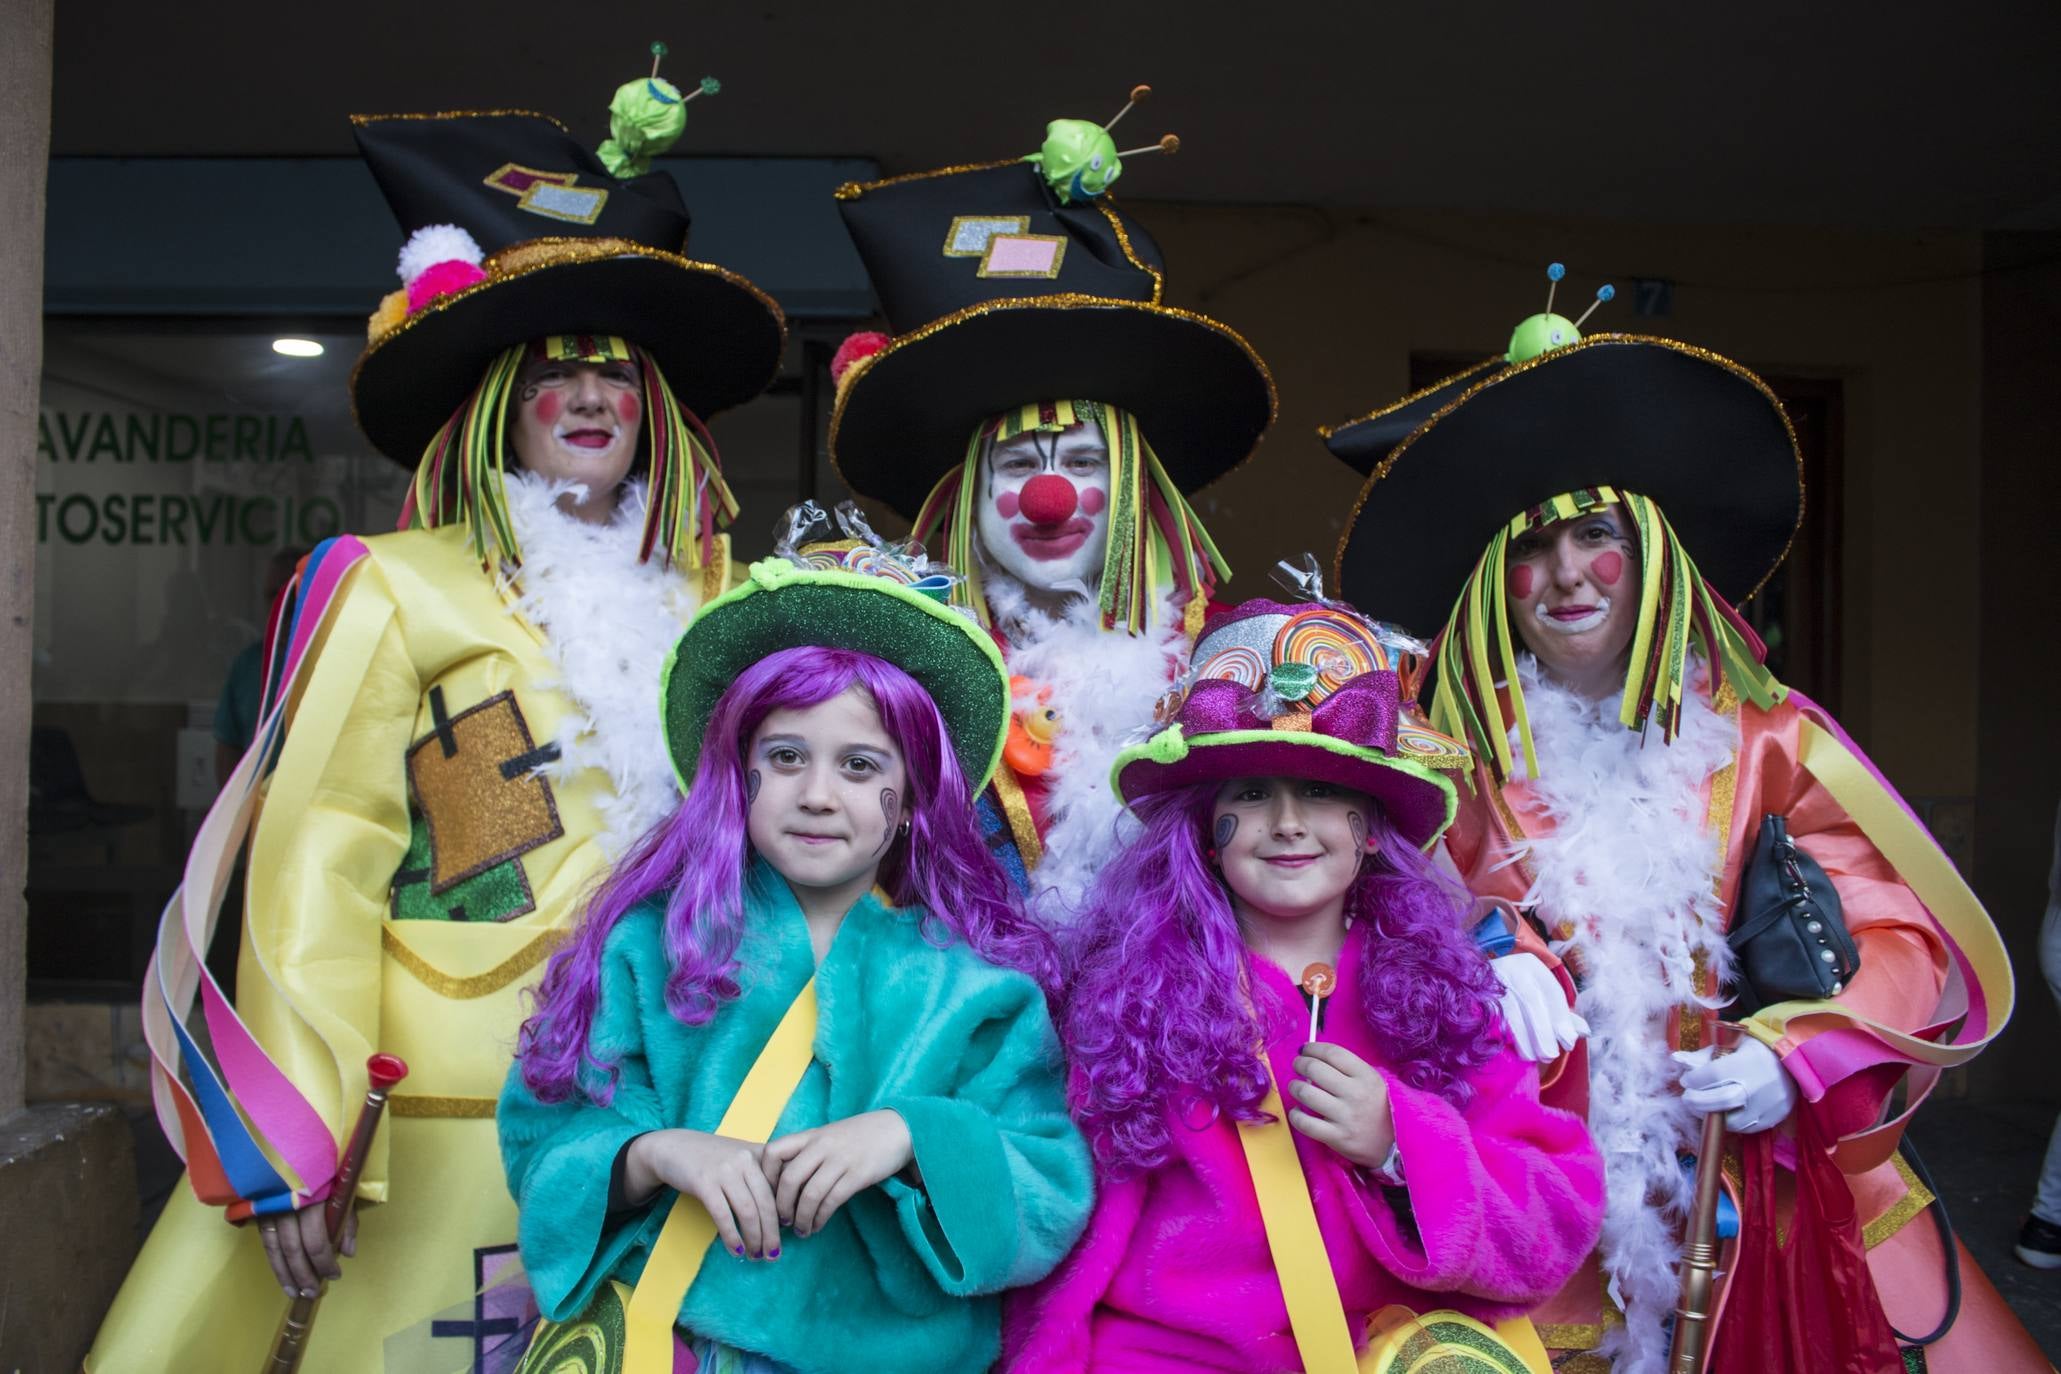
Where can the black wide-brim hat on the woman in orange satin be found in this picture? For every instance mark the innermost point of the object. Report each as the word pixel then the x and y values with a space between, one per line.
pixel 1693 432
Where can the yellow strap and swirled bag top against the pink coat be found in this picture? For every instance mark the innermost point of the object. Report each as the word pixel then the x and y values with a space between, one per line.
pixel 1316 1313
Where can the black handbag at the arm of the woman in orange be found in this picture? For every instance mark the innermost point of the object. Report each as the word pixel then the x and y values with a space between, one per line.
pixel 1790 936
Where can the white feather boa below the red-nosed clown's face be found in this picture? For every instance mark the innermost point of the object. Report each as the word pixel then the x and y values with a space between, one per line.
pixel 1104 685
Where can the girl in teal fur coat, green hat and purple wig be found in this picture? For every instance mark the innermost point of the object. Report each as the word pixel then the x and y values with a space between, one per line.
pixel 926 1163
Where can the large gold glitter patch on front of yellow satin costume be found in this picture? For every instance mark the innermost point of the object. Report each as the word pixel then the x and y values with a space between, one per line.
pixel 475 782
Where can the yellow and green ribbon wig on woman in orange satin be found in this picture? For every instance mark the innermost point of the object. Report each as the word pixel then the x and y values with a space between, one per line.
pixel 1677 613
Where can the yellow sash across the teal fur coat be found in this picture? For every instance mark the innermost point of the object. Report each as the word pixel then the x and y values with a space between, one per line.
pixel 683 1243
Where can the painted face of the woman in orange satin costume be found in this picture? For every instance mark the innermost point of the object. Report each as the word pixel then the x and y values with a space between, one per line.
pixel 1574 596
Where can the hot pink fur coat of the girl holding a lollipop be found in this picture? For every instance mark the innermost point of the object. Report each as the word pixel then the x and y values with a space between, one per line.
pixel 1503 1202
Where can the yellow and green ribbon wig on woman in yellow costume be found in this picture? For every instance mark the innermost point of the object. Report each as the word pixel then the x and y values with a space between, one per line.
pixel 461 477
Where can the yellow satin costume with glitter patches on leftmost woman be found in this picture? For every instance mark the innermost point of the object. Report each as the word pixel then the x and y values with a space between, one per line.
pixel 409 879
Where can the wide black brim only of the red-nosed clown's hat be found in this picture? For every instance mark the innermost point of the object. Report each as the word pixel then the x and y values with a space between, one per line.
pixel 904 419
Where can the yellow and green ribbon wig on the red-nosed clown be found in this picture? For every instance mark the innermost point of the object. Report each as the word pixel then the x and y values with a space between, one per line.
pixel 1157 545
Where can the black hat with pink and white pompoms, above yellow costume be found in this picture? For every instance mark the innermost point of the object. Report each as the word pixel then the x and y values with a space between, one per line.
pixel 609 265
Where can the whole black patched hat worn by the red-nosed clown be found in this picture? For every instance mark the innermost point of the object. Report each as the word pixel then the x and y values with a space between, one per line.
pixel 999 296
